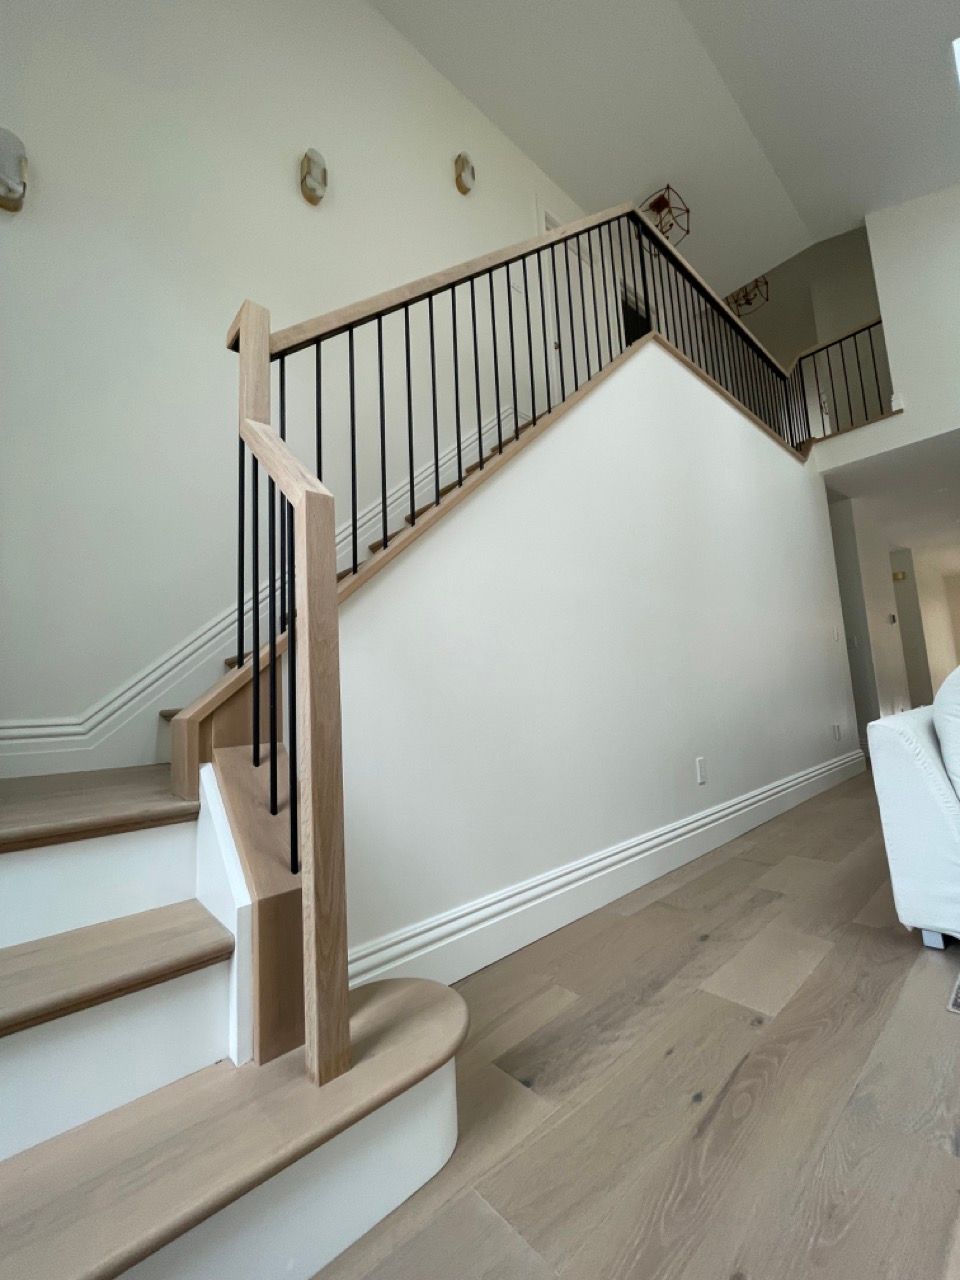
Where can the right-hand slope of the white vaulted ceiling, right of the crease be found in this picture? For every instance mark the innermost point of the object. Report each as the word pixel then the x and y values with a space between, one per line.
pixel 856 102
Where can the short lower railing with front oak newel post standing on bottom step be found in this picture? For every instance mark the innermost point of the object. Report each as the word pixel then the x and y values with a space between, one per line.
pixel 303 611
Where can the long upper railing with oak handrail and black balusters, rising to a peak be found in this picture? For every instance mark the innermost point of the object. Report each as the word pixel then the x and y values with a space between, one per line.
pixel 403 396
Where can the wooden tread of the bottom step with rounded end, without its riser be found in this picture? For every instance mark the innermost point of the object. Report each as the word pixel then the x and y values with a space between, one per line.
pixel 94 1201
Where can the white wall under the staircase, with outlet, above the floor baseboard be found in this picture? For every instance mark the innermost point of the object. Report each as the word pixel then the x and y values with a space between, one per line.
pixel 531 683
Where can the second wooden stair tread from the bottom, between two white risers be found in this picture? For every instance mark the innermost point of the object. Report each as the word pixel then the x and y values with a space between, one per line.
pixel 60 975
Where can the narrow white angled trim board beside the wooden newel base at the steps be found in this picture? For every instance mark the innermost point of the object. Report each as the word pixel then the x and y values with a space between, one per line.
pixel 222 889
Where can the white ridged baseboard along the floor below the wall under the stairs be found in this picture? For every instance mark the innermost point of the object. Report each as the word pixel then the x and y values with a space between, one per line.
pixel 461 941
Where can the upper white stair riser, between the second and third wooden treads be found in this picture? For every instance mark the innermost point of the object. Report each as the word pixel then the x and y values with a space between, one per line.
pixel 61 888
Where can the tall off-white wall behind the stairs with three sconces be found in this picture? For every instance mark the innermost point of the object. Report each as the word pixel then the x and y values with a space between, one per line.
pixel 164 143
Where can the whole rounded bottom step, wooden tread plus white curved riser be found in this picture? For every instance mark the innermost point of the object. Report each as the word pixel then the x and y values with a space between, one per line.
pixel 246 1172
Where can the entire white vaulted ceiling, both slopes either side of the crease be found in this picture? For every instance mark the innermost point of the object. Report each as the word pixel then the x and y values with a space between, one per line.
pixel 783 122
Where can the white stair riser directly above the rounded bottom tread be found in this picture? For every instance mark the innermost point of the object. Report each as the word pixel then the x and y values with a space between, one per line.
pixel 72 1069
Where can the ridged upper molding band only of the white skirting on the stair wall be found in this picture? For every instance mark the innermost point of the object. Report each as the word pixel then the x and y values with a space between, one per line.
pixel 154 685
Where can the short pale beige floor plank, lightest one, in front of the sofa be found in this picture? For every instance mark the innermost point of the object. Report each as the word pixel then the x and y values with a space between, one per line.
pixel 770 970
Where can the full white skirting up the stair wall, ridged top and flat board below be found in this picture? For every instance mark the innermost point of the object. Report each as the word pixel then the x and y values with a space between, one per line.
pixel 122 729
